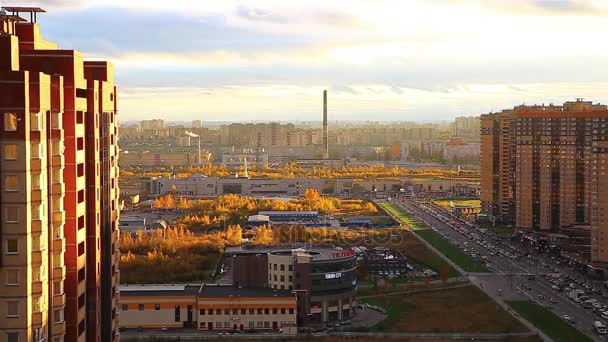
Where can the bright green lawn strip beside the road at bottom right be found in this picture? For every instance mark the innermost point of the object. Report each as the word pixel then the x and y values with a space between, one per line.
pixel 549 323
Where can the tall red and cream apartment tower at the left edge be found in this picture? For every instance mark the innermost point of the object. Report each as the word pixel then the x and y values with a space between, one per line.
pixel 58 189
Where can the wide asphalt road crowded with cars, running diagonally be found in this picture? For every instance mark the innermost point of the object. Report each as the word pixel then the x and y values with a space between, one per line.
pixel 511 267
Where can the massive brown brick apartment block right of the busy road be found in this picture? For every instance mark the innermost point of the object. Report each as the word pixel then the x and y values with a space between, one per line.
pixel 544 168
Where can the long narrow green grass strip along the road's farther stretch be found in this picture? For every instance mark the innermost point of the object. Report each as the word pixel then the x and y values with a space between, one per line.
pixel 454 253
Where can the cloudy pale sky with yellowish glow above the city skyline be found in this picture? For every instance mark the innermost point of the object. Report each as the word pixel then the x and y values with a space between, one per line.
pixel 421 60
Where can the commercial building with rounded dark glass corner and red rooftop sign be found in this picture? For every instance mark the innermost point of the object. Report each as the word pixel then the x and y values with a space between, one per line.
pixel 323 277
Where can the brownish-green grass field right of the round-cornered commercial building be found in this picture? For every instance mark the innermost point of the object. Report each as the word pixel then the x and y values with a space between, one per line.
pixel 465 310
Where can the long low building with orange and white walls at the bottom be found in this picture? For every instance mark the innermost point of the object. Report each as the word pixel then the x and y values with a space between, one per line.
pixel 207 307
